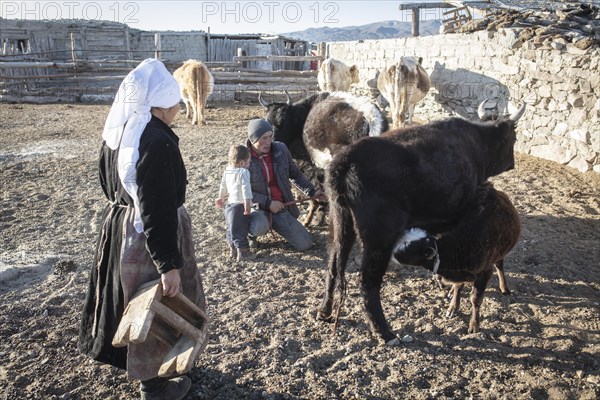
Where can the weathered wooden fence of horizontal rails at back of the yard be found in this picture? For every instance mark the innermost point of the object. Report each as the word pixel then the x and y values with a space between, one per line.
pixel 92 81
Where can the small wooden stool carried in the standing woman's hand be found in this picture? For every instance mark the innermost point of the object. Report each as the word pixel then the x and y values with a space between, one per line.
pixel 175 321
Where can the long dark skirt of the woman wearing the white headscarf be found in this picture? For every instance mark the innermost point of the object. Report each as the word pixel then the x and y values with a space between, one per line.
pixel 122 264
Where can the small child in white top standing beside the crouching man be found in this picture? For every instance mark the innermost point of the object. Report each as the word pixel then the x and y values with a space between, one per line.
pixel 235 187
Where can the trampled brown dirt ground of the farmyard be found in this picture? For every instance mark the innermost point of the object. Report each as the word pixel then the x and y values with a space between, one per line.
pixel 541 342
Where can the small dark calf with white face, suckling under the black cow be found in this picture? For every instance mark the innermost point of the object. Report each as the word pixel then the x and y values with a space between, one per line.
pixel 469 251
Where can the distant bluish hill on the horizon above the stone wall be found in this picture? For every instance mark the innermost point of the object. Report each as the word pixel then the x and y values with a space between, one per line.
pixel 376 30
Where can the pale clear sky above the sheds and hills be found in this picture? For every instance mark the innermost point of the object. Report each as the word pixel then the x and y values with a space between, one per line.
pixel 220 17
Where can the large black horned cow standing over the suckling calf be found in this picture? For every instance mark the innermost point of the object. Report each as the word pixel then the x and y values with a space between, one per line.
pixel 422 176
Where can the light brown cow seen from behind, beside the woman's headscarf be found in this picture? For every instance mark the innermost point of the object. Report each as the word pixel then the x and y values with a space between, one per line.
pixel 196 83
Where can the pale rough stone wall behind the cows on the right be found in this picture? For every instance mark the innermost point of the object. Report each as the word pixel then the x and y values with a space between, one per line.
pixel 560 83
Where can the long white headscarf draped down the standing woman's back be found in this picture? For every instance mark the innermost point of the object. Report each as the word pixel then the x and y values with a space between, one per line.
pixel 148 85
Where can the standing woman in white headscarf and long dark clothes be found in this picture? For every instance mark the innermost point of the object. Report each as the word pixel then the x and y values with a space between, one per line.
pixel 146 231
